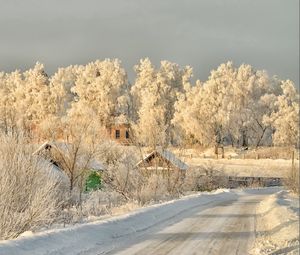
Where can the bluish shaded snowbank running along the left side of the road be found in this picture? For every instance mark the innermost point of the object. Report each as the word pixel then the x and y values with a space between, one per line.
pixel 105 235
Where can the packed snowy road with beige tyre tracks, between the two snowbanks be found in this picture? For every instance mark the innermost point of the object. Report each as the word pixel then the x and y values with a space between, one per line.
pixel 223 227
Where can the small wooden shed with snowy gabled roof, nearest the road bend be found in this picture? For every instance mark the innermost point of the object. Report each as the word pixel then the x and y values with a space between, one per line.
pixel 162 160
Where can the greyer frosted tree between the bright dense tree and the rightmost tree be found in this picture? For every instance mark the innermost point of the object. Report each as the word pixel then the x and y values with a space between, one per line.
pixel 250 98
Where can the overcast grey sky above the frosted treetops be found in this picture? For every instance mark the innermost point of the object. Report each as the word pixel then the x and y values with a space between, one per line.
pixel 200 33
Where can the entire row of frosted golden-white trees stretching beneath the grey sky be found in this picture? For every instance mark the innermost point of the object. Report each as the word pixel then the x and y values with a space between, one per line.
pixel 236 105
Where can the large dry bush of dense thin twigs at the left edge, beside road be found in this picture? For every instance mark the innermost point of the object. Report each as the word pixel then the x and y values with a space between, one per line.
pixel 30 193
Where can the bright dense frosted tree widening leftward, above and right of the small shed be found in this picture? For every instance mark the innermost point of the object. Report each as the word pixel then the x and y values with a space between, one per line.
pixel 201 112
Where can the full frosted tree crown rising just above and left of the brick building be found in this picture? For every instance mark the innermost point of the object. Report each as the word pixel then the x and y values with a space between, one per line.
pixel 100 87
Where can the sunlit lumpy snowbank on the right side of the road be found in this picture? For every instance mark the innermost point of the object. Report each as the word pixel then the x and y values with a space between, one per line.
pixel 277 225
